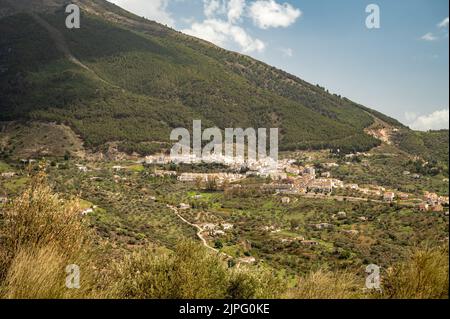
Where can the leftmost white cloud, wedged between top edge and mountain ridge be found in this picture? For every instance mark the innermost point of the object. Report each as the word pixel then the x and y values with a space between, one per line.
pixel 151 9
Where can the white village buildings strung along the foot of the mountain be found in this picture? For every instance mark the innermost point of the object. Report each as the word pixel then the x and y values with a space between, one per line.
pixel 288 178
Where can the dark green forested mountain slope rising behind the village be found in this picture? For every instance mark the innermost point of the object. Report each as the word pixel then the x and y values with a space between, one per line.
pixel 123 78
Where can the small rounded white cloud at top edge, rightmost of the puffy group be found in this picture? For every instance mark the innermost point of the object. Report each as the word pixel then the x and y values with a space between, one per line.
pixel 270 14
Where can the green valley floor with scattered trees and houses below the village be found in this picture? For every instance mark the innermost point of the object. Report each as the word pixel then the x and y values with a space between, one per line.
pixel 282 224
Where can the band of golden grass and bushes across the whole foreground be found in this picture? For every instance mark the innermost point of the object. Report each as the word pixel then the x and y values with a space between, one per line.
pixel 41 233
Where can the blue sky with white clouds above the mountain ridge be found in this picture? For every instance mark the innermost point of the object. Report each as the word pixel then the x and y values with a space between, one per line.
pixel 400 69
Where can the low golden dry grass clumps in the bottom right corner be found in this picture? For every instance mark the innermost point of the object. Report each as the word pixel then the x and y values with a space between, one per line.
pixel 423 275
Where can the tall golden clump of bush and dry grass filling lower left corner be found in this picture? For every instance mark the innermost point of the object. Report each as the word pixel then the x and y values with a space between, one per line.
pixel 42 234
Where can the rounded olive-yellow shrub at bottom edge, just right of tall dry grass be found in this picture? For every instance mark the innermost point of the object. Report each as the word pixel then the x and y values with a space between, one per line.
pixel 187 273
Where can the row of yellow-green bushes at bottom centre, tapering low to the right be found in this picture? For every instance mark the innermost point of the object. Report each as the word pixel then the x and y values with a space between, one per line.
pixel 190 272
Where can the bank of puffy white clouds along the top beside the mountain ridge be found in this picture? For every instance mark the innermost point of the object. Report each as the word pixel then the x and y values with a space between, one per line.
pixel 223 20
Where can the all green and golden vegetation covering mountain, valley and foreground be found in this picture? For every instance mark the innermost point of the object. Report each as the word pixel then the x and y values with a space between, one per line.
pixel 121 84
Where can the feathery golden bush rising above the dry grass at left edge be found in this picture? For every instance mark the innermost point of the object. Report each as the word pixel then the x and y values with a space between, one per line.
pixel 39 217
